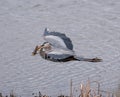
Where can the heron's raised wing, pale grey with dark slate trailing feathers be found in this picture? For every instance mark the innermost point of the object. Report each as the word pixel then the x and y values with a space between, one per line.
pixel 58 39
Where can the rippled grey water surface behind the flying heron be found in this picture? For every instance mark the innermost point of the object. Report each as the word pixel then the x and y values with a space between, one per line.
pixel 92 25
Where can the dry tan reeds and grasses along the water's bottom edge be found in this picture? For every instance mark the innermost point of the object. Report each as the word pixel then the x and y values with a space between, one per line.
pixel 85 90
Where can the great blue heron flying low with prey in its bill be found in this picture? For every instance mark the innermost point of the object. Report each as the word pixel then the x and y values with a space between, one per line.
pixel 58 48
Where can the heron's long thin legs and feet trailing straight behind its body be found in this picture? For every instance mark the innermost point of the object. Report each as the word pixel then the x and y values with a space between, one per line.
pixel 88 59
